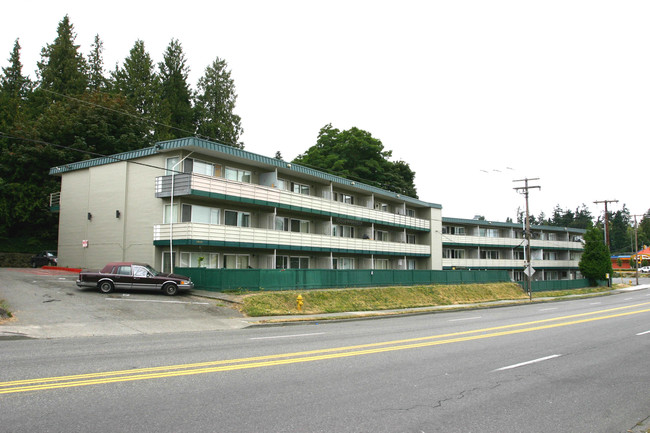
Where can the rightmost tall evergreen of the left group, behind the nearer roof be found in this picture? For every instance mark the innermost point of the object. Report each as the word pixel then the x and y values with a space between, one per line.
pixel 215 103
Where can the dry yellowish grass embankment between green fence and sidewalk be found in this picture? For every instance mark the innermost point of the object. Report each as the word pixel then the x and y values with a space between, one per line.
pixel 387 298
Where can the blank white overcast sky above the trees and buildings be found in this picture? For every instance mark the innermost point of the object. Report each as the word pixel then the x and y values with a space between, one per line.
pixel 471 94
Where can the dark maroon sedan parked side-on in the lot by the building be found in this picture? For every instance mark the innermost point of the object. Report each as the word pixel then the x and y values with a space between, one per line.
pixel 130 275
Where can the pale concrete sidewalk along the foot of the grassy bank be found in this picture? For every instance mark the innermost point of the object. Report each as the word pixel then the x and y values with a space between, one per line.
pixel 352 315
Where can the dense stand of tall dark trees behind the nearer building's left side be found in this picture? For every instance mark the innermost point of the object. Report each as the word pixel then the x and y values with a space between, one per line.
pixel 74 110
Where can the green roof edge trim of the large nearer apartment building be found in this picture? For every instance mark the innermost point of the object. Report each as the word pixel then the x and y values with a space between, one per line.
pixel 198 144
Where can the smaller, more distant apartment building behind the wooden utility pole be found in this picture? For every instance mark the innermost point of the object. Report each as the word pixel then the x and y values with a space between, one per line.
pixel 478 244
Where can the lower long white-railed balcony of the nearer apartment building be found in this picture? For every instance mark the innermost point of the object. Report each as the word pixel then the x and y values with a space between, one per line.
pixel 246 237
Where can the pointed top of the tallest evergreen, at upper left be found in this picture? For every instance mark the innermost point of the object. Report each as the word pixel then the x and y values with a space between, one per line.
pixel 62 68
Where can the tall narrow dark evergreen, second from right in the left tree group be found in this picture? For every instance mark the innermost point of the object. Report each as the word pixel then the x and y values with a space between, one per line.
pixel 175 94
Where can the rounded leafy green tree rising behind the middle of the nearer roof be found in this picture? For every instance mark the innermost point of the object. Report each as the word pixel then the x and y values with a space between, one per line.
pixel 355 154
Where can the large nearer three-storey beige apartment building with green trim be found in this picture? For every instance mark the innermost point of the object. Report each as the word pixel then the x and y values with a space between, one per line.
pixel 201 203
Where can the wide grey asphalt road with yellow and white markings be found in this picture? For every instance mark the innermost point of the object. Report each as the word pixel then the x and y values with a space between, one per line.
pixel 572 366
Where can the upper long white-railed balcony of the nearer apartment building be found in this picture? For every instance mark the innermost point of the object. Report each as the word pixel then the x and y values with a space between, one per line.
pixel 220 188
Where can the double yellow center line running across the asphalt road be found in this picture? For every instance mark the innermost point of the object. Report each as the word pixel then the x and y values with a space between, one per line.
pixel 107 377
